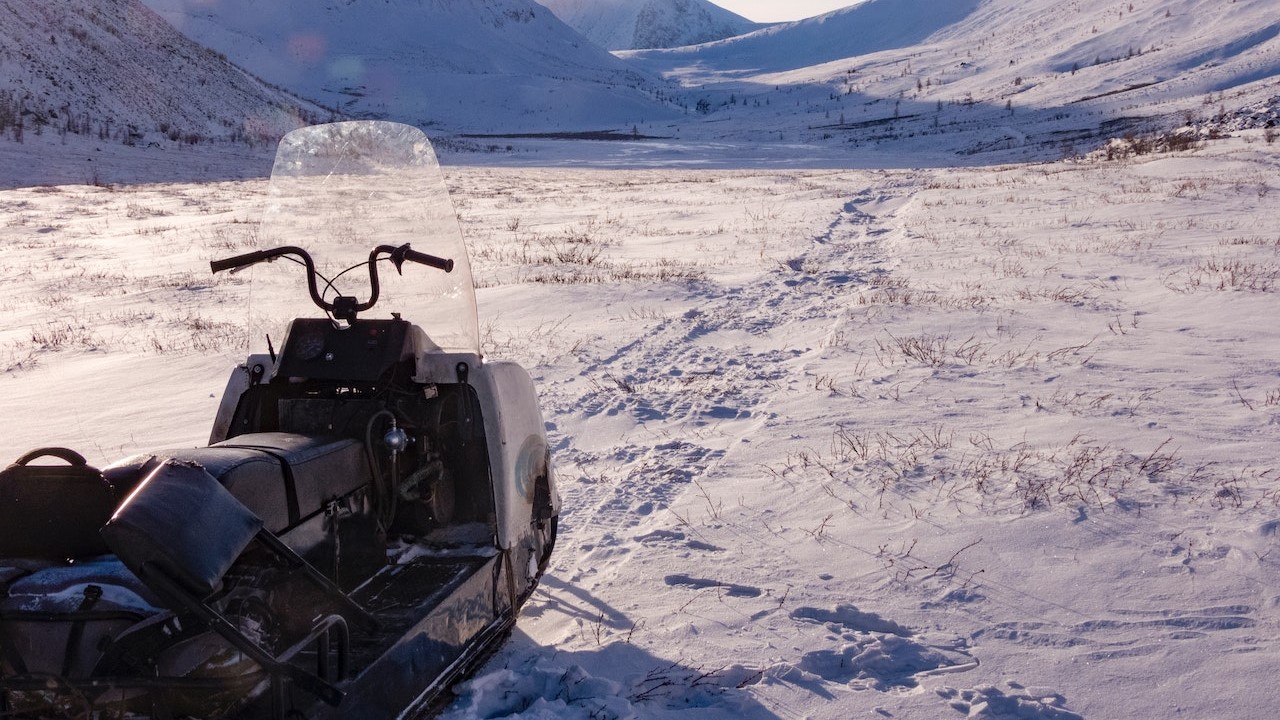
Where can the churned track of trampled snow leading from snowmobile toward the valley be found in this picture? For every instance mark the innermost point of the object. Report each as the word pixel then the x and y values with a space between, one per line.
pixel 683 389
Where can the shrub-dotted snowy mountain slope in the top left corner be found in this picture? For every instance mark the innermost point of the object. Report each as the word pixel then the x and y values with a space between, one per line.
pixel 115 70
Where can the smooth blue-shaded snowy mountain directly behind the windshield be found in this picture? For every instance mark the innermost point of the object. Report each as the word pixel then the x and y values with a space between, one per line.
pixel 476 66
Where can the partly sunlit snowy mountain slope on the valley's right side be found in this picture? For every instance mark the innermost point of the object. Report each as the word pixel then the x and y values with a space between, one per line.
pixel 972 76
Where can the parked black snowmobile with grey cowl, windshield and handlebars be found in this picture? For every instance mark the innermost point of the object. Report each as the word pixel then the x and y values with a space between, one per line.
pixel 373 508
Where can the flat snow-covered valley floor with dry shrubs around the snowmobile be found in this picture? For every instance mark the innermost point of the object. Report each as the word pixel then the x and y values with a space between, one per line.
pixel 985 441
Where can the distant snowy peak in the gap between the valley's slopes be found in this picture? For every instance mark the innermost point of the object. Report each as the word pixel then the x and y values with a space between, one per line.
pixel 633 25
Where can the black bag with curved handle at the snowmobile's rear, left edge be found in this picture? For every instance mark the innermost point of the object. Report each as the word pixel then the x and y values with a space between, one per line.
pixel 54 512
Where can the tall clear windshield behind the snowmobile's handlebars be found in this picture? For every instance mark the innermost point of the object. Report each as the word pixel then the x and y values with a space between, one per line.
pixel 341 190
